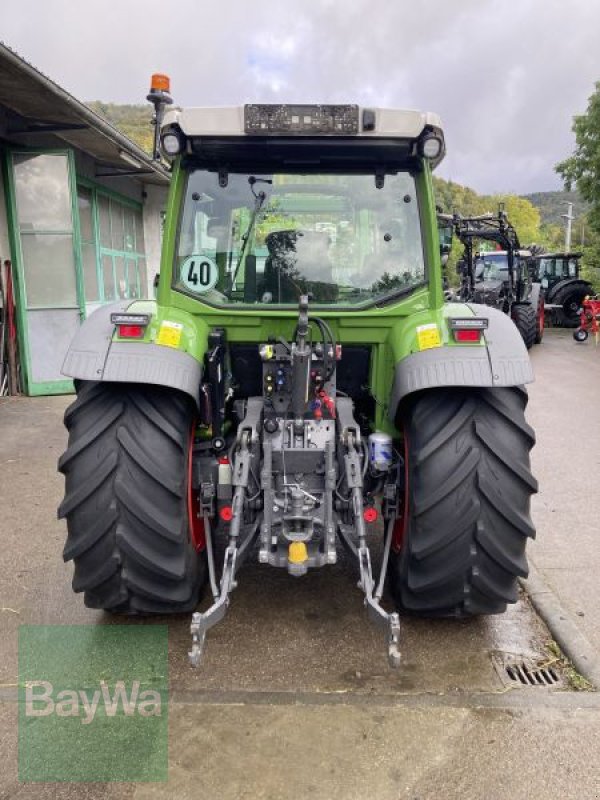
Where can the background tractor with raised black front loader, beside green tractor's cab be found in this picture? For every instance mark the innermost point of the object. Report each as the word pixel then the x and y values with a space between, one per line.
pixel 500 278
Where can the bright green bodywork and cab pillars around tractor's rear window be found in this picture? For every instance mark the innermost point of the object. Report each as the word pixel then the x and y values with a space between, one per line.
pixel 390 330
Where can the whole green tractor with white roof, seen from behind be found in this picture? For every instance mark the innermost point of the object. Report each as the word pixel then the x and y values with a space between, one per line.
pixel 298 384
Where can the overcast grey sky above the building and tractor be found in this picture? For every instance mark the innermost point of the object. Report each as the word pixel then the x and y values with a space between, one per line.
pixel 505 76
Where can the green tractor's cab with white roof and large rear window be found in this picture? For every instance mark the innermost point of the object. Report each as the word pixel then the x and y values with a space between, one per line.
pixel 278 202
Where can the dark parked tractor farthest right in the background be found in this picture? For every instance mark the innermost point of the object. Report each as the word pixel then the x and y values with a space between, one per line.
pixel 564 288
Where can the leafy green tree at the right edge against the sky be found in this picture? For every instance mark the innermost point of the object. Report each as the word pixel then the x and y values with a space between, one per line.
pixel 583 167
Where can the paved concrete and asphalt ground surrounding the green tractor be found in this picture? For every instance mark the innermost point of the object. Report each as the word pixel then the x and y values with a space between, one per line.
pixel 294 697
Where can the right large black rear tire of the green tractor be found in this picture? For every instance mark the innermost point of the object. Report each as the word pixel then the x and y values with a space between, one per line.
pixel 468 492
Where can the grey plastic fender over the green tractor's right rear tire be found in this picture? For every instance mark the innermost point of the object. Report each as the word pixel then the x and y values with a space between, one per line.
pixel 503 361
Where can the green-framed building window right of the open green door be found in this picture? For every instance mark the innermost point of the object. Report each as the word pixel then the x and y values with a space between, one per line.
pixel 112 247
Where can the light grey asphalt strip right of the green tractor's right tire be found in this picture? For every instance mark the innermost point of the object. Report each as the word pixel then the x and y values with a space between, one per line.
pixel 564 409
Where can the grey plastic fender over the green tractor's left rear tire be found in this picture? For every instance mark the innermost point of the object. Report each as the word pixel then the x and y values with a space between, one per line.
pixel 94 356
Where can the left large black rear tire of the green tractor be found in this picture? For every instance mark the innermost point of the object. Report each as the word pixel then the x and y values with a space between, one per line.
pixel 126 499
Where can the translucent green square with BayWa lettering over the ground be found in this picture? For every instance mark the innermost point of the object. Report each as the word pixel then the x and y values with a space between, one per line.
pixel 93 702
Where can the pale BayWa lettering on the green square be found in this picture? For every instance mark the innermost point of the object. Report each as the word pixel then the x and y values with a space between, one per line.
pixel 41 702
